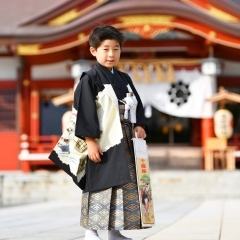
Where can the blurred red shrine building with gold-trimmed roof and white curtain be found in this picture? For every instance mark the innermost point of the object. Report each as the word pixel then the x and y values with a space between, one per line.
pixel 178 53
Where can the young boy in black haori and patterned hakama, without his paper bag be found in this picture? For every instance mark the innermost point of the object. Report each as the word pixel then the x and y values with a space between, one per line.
pixel 107 110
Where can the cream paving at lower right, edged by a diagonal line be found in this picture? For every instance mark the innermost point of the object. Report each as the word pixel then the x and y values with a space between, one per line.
pixel 211 220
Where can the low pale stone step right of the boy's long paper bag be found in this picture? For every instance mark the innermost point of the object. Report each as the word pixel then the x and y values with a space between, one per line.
pixel 179 184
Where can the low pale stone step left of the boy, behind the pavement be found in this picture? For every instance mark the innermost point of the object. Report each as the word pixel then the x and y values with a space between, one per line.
pixel 21 188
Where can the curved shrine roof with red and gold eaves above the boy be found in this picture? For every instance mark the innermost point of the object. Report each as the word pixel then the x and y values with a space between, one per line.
pixel 52 23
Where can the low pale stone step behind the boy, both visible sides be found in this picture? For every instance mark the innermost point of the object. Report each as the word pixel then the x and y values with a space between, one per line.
pixel 19 188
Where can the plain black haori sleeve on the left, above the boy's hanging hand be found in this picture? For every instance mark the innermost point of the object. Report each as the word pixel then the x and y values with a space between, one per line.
pixel 87 124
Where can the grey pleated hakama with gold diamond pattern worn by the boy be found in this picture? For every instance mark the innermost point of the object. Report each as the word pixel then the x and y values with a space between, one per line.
pixel 115 208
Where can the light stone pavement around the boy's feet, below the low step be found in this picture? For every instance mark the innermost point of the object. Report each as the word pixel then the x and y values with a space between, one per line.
pixel 192 219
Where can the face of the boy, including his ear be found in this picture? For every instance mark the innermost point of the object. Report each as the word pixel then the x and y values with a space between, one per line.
pixel 108 53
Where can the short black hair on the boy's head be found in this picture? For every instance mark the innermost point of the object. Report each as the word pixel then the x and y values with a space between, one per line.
pixel 104 32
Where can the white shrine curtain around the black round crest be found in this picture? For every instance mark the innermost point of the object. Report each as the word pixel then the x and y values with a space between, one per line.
pixel 200 87
